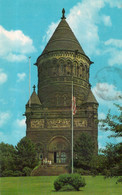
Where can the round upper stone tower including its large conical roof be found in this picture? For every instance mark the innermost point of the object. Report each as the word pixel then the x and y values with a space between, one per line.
pixel 62 61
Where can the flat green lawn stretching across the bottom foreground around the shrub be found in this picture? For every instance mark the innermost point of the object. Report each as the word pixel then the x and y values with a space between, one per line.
pixel 44 185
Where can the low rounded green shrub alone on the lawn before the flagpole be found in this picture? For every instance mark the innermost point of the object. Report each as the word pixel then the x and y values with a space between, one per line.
pixel 74 180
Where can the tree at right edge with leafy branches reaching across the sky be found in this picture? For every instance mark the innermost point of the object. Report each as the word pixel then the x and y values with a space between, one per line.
pixel 112 152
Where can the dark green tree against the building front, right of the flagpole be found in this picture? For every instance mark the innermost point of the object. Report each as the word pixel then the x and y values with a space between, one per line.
pixel 84 150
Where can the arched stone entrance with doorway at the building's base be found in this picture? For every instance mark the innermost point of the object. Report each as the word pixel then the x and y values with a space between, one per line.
pixel 59 150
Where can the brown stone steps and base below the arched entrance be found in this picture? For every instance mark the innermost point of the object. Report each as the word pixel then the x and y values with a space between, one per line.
pixel 50 170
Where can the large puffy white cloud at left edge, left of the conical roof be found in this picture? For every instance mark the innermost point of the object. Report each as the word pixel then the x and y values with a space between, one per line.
pixel 14 45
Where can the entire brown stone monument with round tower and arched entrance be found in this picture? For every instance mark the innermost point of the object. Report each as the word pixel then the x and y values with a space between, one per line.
pixel 49 115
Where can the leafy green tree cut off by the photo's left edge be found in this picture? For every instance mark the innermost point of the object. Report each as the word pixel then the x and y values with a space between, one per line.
pixel 7 159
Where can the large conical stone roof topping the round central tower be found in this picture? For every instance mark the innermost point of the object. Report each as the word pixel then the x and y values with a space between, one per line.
pixel 63 39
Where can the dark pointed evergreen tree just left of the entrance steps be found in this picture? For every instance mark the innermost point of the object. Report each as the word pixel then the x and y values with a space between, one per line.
pixel 25 154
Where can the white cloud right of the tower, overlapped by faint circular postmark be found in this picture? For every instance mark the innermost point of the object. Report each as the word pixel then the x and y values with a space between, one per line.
pixel 107 92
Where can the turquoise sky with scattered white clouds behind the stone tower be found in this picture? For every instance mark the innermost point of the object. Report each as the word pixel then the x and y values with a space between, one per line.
pixel 25 28
